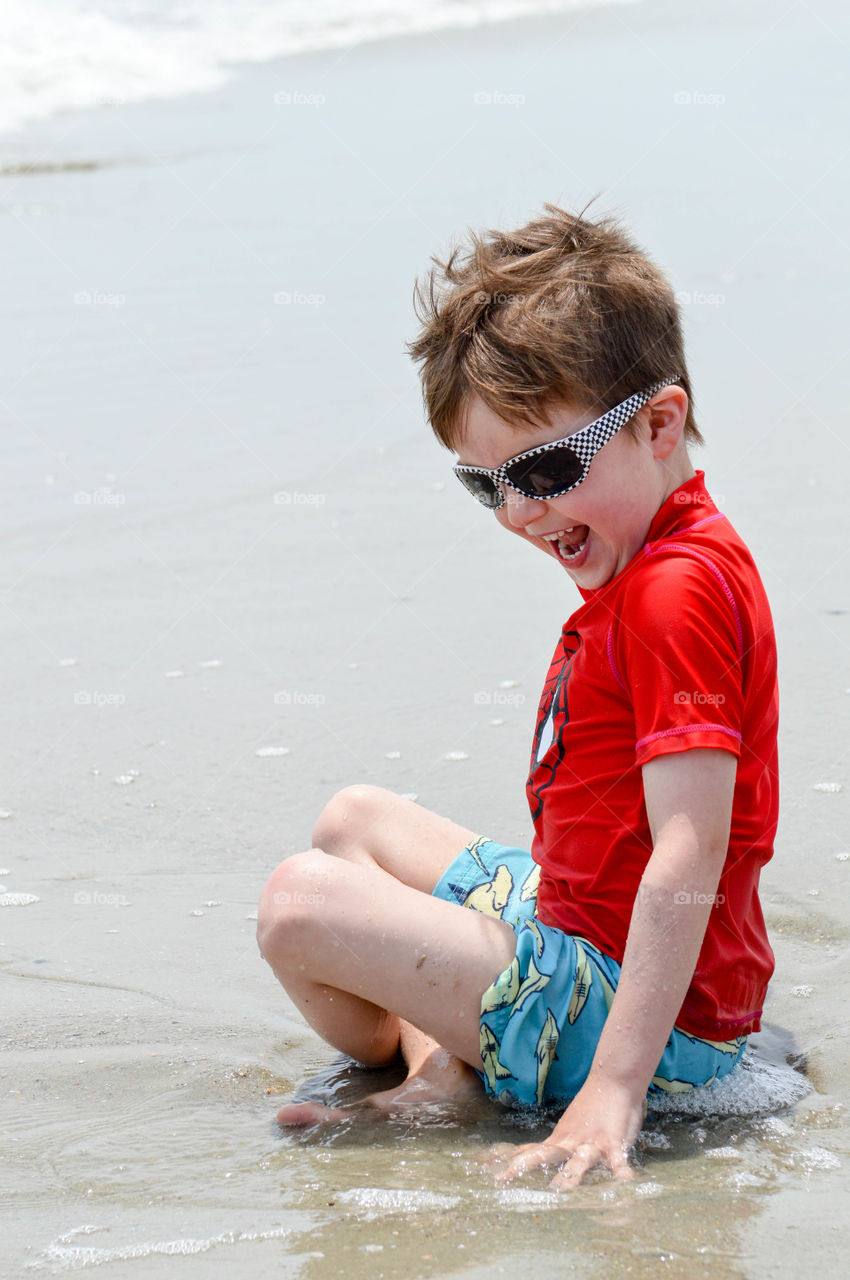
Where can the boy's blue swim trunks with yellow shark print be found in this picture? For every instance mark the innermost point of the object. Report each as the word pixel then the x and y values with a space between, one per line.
pixel 542 1018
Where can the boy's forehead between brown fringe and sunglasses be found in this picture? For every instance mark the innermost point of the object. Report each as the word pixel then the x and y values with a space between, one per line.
pixel 487 440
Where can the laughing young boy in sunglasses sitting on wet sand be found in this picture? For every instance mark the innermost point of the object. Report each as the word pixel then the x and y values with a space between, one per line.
pixel 627 953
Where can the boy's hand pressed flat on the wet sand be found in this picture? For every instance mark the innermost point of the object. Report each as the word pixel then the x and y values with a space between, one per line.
pixel 598 1128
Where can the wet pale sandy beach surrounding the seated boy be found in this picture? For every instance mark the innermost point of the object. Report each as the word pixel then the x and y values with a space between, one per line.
pixel 239 575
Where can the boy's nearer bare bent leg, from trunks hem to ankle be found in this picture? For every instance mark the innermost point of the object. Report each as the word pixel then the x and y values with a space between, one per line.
pixel 359 953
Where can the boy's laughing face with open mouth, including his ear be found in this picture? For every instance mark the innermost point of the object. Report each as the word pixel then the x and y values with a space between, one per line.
pixel 604 523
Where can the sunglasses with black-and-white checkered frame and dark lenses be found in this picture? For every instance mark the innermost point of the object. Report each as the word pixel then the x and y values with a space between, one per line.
pixel 554 469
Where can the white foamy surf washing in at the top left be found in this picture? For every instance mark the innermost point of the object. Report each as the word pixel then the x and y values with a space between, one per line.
pixel 60 54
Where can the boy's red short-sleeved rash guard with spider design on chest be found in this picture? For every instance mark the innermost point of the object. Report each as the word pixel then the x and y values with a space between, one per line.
pixel 674 653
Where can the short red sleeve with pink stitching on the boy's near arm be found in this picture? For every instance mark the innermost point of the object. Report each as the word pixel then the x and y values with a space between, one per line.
pixel 679 650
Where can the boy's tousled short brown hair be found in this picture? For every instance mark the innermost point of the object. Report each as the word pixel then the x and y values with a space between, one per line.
pixel 561 312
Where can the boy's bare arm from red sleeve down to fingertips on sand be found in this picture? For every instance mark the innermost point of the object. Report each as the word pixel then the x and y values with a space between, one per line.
pixel 689 806
